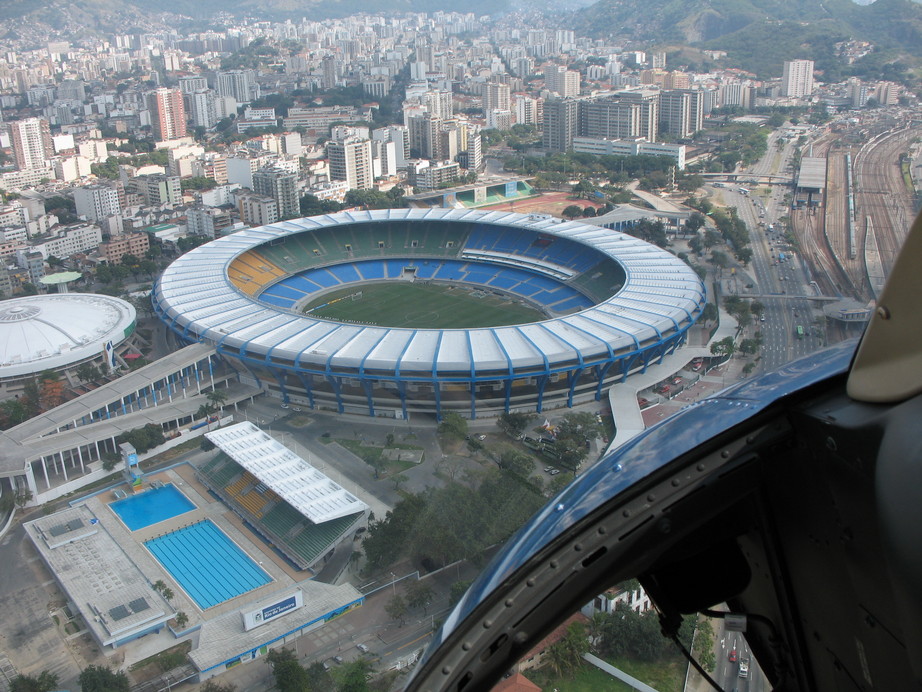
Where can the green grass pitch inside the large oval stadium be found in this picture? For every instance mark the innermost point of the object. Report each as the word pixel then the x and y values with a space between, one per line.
pixel 422 306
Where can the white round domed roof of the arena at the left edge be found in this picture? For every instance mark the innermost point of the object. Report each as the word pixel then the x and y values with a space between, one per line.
pixel 53 331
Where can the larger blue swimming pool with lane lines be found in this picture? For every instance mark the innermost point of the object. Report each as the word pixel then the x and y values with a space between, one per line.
pixel 208 565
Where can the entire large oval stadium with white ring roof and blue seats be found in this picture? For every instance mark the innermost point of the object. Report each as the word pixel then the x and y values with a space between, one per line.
pixel 406 312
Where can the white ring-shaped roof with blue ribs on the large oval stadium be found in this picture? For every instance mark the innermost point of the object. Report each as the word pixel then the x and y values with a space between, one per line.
pixel 660 293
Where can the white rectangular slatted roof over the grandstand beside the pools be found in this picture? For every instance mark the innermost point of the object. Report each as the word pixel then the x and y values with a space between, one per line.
pixel 309 491
